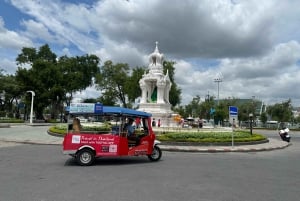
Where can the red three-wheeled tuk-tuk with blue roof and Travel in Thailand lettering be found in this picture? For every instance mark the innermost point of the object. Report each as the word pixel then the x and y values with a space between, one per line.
pixel 109 136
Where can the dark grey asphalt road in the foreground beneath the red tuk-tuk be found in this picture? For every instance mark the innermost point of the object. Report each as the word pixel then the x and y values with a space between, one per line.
pixel 42 173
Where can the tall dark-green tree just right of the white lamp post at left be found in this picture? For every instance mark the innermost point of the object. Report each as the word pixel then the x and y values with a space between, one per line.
pixel 39 78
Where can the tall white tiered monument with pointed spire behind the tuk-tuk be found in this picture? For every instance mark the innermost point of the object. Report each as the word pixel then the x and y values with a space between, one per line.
pixel 155 86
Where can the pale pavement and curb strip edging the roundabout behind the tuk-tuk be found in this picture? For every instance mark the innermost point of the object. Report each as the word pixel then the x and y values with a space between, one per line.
pixel 37 134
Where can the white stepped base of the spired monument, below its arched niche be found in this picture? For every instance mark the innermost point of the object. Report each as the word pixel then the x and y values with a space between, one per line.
pixel 160 112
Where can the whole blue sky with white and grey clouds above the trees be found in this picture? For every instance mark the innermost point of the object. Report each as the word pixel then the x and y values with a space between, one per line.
pixel 253 44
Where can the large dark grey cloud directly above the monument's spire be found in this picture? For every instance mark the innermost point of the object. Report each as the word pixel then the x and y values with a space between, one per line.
pixel 190 28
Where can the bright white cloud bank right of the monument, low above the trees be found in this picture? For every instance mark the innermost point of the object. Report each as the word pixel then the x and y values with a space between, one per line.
pixel 276 74
